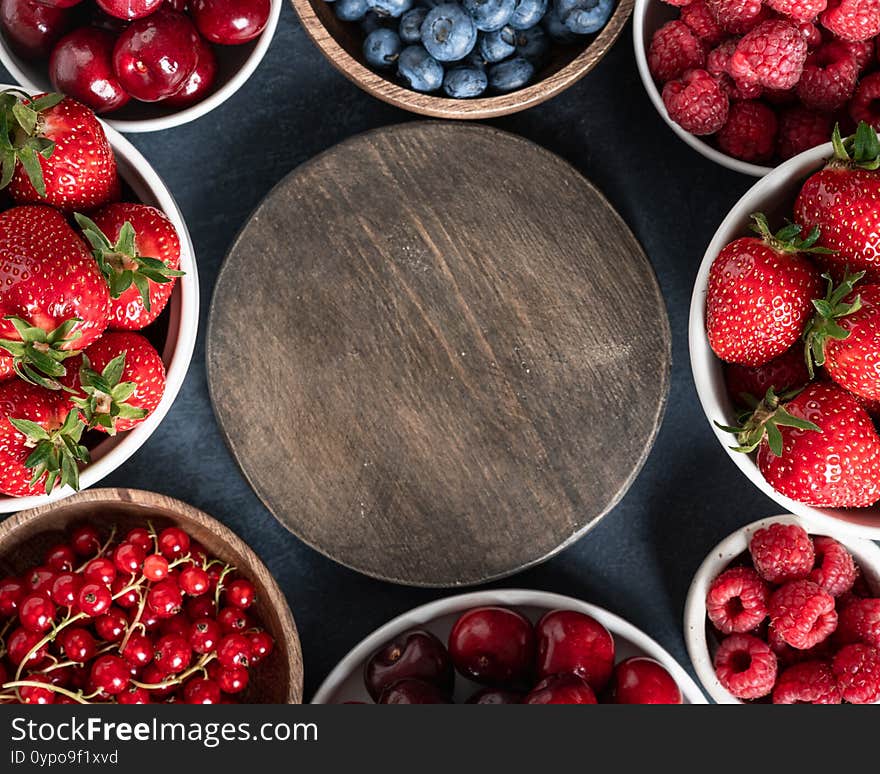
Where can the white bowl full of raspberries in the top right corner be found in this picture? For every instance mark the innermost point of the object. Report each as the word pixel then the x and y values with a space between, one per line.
pixel 752 83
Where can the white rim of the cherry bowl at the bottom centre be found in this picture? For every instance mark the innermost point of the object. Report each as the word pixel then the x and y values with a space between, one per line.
pixel 513 598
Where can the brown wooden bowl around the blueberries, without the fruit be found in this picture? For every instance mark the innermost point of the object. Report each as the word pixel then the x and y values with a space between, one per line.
pixel 341 43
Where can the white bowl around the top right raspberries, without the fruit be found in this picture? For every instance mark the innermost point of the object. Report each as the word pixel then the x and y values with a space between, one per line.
pixel 648 17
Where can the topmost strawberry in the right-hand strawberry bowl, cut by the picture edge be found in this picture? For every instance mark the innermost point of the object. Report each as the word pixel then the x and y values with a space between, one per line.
pixel 843 202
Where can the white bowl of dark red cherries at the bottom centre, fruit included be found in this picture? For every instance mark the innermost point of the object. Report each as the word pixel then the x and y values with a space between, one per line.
pixel 510 646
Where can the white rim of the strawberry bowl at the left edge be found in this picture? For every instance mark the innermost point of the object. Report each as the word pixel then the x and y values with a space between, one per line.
pixel 188 287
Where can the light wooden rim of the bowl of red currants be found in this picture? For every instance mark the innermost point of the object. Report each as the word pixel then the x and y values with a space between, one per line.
pixel 146 499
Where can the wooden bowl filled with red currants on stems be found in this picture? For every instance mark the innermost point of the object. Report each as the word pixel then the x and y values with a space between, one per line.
pixel 129 597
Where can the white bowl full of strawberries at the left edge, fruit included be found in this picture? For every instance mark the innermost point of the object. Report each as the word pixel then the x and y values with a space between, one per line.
pixel 98 300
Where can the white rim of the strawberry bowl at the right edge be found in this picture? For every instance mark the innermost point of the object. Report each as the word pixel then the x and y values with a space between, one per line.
pixel 704 363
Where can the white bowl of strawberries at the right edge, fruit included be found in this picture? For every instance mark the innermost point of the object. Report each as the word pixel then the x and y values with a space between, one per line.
pixel 785 337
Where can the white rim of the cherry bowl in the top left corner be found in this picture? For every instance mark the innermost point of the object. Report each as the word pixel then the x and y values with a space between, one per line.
pixel 185 115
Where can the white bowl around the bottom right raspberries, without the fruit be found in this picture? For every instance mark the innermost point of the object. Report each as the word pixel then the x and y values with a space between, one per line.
pixel 701 643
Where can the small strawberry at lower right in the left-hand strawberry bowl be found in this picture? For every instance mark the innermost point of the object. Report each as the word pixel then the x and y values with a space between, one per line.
pixel 117 382
